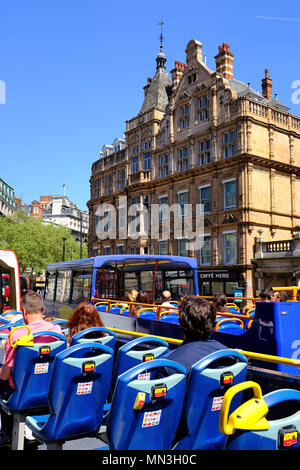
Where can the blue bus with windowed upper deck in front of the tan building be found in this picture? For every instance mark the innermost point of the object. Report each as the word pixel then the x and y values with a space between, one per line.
pixel 107 280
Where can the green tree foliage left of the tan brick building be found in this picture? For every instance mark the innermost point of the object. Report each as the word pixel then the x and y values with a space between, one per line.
pixel 37 244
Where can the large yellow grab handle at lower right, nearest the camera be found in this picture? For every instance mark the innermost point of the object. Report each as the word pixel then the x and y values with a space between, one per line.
pixel 250 415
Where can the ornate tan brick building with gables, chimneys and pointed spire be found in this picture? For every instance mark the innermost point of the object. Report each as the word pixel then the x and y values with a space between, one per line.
pixel 202 141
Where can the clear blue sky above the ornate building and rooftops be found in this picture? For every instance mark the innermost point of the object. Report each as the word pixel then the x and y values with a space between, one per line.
pixel 74 72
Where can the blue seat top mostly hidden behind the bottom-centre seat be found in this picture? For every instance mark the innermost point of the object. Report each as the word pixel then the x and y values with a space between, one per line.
pixel 136 351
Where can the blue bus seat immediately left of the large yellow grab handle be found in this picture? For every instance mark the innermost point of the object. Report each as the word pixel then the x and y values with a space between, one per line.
pixel 207 383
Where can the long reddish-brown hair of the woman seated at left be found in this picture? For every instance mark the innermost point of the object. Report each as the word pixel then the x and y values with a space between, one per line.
pixel 84 316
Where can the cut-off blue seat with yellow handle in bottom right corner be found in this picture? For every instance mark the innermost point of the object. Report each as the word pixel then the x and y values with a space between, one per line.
pixel 259 426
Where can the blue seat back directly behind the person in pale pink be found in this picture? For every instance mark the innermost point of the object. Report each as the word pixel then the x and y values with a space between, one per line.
pixel 32 370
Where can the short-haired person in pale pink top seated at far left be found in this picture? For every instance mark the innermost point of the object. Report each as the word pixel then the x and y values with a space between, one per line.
pixel 33 309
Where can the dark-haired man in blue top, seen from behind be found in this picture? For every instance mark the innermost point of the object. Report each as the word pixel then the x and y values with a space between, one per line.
pixel 196 318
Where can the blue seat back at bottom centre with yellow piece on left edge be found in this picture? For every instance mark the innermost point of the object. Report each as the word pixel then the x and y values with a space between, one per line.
pixel 144 414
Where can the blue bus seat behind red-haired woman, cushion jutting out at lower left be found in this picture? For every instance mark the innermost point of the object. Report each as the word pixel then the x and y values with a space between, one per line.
pixel 78 390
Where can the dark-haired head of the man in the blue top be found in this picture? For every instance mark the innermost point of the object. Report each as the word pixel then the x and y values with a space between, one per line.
pixel 196 318
